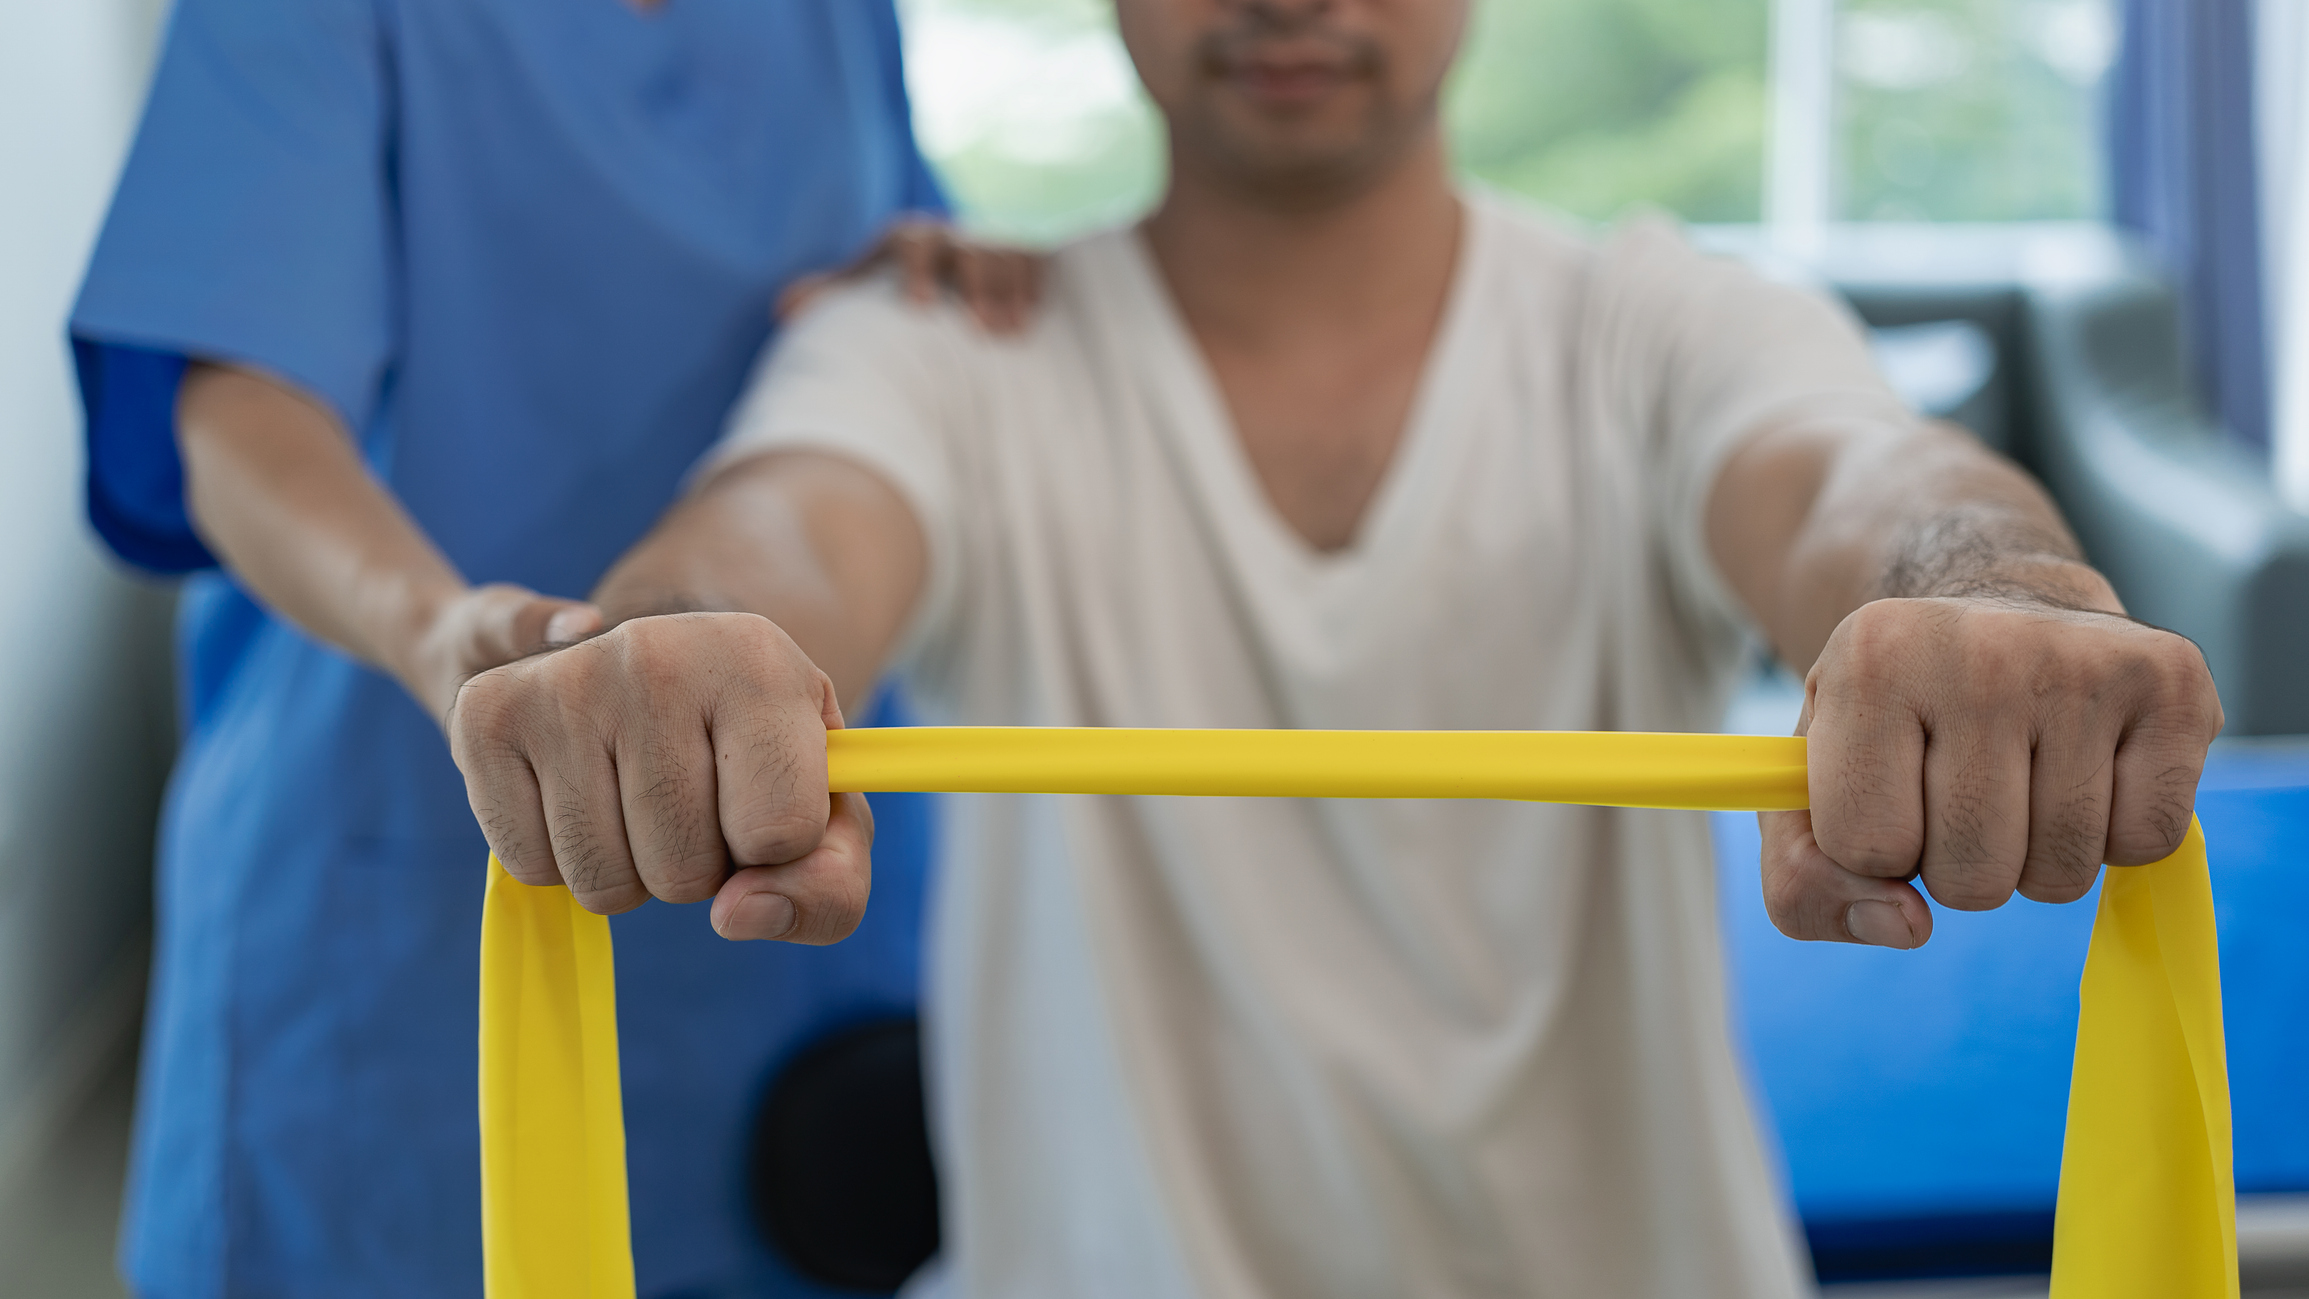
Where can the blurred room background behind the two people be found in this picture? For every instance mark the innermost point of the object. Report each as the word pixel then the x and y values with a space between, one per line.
pixel 2079 227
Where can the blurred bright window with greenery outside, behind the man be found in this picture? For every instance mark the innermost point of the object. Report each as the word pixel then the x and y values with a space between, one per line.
pixel 1888 110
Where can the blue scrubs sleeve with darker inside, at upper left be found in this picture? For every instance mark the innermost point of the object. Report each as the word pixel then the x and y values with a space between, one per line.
pixel 253 225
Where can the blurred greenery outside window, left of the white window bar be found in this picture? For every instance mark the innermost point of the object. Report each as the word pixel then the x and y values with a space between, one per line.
pixel 1587 105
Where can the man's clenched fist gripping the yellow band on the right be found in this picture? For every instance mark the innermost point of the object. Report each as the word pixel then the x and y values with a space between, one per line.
pixel 1985 746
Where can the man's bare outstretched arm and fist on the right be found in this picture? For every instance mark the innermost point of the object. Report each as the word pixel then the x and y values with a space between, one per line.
pixel 1982 714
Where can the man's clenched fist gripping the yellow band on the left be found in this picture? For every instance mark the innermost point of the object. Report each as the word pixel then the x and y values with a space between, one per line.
pixel 678 758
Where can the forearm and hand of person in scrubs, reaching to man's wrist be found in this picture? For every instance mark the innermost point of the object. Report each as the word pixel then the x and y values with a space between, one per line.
pixel 285 502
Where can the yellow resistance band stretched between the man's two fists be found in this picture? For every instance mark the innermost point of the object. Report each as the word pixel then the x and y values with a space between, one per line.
pixel 2146 1196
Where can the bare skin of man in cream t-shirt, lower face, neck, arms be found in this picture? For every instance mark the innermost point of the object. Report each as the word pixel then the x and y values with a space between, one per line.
pixel 1982 714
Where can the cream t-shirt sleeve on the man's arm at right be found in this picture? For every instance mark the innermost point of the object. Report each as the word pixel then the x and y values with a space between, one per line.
pixel 1721 354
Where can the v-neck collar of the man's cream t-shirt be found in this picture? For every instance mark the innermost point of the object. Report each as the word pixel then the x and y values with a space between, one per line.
pixel 1216 444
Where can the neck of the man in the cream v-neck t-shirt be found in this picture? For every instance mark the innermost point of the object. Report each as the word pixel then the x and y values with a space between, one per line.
pixel 1246 266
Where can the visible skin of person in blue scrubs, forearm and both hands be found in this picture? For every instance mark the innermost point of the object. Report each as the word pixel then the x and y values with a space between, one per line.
pixel 281 495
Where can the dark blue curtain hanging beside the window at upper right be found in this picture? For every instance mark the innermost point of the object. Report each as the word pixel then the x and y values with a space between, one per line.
pixel 2181 151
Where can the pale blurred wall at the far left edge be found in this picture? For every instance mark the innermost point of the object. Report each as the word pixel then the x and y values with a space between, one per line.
pixel 84 714
